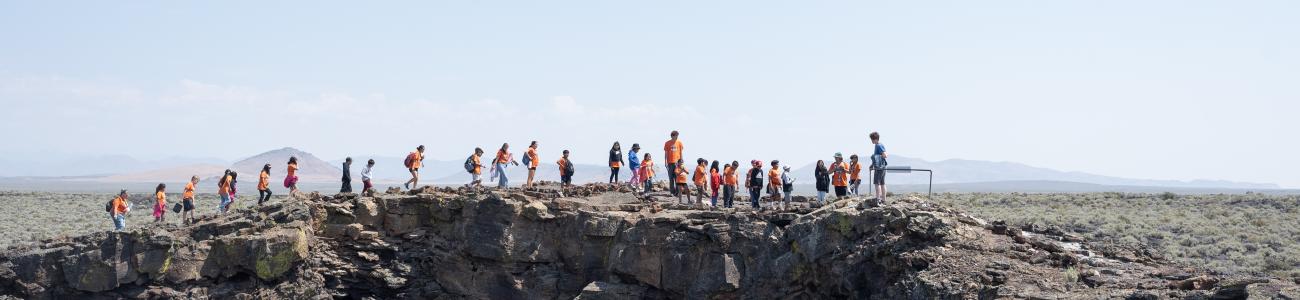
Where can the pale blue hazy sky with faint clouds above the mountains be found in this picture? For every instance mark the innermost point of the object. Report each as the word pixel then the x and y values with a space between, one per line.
pixel 1164 90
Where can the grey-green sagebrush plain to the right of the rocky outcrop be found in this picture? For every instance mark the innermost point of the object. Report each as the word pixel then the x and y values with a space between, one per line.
pixel 1247 233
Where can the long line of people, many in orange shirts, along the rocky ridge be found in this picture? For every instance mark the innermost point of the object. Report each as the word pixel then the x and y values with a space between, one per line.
pixel 710 179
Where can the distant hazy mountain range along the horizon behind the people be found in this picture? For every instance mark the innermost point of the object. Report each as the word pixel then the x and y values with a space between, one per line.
pixel 389 169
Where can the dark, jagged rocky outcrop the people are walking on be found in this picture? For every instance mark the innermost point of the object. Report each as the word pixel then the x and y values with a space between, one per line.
pixel 599 242
